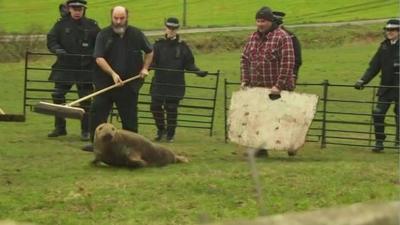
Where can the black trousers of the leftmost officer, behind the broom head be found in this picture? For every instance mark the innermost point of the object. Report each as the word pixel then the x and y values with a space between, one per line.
pixel 58 95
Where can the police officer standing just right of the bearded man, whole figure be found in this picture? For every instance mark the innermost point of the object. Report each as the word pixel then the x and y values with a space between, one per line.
pixel 171 57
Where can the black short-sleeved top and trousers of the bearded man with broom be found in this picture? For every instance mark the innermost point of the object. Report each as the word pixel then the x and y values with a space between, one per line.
pixel 124 55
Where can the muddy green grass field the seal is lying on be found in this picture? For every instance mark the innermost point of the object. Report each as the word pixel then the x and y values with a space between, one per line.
pixel 48 181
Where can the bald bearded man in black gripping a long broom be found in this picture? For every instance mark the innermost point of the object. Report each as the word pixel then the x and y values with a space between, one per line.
pixel 119 56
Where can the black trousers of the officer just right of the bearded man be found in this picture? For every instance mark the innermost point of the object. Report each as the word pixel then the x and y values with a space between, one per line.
pixel 165 105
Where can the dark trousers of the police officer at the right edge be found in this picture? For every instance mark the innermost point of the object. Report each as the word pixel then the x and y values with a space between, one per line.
pixel 379 114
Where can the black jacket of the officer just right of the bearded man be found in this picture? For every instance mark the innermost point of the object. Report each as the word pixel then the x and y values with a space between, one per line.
pixel 171 54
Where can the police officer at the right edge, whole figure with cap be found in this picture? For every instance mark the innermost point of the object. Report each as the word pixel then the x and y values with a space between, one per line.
pixel 386 60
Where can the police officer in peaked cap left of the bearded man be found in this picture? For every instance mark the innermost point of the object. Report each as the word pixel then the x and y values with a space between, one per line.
pixel 72 37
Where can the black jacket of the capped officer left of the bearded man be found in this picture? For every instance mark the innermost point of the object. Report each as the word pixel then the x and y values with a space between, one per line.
pixel 72 37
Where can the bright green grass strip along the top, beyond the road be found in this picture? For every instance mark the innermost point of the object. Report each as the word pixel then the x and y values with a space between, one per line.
pixel 24 16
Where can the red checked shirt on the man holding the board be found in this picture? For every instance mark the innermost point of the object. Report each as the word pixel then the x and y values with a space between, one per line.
pixel 268 61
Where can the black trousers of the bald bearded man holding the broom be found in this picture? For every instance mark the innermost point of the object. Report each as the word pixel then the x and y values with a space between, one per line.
pixel 125 99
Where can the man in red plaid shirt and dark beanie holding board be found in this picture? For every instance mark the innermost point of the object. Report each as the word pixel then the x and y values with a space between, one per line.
pixel 268 58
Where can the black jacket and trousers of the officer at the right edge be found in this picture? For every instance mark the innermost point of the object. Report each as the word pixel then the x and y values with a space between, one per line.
pixel 386 59
